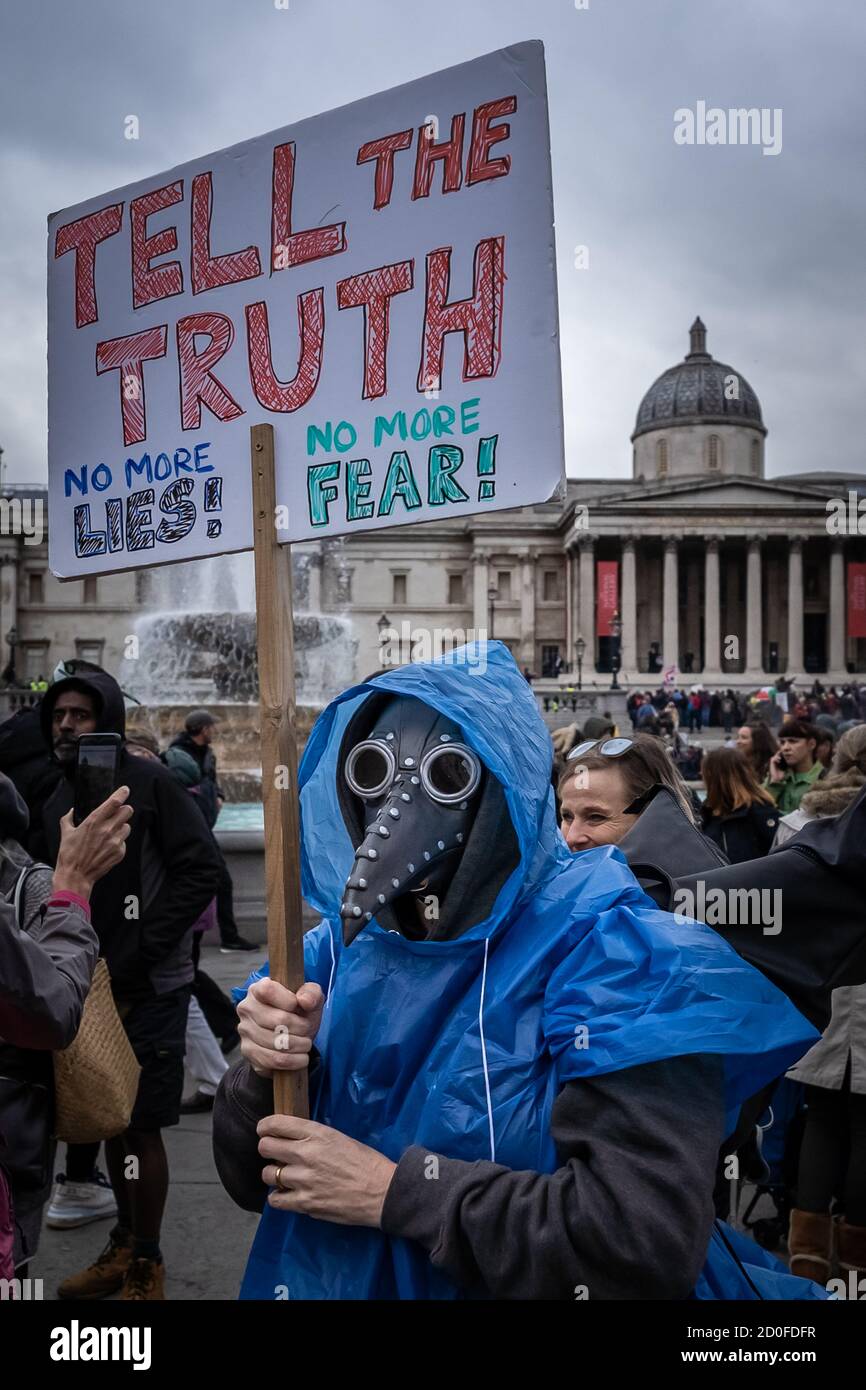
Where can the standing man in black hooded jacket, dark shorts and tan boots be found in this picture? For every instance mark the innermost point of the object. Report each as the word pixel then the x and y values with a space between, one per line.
pixel 144 913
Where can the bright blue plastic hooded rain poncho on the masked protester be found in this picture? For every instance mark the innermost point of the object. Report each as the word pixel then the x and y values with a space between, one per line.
pixel 462 1046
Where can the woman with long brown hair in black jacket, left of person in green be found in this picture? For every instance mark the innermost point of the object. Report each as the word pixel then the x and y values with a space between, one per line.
pixel 739 814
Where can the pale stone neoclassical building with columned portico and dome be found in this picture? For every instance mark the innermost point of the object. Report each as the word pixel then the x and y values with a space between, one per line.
pixel 708 566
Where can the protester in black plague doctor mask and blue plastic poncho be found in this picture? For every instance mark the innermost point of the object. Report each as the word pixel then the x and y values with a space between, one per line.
pixel 521 1068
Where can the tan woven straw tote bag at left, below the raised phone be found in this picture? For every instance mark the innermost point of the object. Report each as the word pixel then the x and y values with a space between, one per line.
pixel 97 1078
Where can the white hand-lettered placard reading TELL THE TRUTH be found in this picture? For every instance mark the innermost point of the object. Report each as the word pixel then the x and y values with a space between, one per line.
pixel 377 283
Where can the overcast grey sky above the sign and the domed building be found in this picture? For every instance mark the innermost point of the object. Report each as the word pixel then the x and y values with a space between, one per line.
pixel 769 251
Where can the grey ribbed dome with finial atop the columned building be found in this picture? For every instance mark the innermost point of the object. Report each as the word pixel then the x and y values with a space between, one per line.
pixel 698 391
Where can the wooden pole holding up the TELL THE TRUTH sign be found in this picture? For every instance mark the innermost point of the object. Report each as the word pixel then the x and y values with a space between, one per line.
pixel 276 643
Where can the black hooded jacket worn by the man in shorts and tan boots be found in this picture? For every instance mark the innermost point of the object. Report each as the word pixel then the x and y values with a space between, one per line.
pixel 144 910
